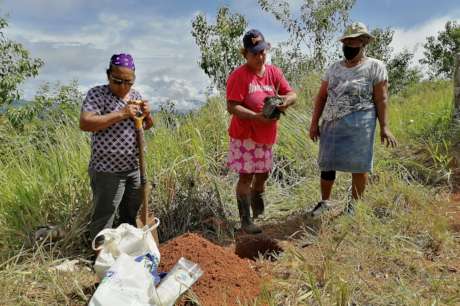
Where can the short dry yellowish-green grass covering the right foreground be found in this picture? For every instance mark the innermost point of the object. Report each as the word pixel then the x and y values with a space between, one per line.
pixel 395 251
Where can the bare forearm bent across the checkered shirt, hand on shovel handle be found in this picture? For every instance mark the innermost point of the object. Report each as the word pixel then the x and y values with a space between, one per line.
pixel 92 122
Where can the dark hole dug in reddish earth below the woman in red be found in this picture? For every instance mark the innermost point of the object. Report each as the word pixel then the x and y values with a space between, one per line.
pixel 250 246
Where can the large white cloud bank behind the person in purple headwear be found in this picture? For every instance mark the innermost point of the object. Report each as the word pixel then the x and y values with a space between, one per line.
pixel 164 51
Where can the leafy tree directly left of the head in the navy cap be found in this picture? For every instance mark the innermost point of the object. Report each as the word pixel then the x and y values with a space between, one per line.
pixel 219 44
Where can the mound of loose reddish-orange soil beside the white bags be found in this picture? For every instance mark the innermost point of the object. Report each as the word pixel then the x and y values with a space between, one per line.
pixel 227 278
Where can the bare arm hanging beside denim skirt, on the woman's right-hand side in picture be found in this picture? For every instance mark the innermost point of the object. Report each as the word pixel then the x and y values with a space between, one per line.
pixel 381 102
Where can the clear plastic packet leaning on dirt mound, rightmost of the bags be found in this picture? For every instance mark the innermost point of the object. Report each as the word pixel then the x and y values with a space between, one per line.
pixel 182 276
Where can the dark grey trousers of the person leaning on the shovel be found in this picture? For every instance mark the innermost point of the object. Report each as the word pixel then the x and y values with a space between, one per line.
pixel 112 193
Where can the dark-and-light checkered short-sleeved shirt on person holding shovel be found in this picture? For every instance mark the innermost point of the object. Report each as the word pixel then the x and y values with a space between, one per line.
pixel 113 149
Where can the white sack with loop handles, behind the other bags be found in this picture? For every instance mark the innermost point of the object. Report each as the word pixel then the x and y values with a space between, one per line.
pixel 125 239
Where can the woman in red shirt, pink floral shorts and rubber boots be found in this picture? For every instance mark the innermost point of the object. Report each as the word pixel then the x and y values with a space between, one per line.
pixel 252 135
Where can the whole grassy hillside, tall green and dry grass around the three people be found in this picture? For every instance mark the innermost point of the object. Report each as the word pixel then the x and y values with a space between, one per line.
pixel 395 251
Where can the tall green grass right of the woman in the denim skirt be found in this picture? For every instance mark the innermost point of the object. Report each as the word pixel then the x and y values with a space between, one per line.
pixel 420 118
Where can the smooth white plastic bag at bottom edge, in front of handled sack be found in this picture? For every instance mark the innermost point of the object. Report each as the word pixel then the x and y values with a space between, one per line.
pixel 126 283
